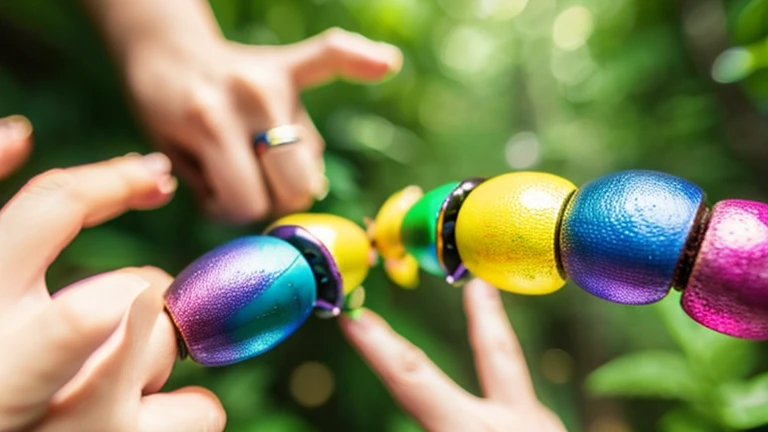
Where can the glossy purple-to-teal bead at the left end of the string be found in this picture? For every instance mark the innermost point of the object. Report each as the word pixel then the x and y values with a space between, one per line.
pixel 241 299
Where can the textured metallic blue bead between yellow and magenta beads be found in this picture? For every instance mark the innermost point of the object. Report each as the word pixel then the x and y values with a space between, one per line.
pixel 623 234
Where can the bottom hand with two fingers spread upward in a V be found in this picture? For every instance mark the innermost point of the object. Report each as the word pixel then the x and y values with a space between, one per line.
pixel 432 398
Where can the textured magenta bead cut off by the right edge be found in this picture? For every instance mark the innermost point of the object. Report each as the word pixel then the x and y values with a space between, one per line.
pixel 728 288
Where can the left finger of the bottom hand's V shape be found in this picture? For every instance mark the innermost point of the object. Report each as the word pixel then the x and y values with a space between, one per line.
pixel 417 384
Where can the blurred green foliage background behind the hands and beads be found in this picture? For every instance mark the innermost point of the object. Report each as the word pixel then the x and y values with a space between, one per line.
pixel 487 87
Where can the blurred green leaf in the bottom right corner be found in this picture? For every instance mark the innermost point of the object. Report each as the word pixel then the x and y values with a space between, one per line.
pixel 744 405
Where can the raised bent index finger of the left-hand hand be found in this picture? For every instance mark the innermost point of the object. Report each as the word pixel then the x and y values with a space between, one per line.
pixel 50 211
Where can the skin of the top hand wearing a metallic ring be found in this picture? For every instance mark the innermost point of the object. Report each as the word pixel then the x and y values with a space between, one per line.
pixel 203 99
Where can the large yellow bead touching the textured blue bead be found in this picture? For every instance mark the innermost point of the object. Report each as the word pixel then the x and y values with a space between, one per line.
pixel 506 229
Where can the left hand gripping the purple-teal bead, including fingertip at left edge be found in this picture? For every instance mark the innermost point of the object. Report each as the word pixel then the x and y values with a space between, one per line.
pixel 94 356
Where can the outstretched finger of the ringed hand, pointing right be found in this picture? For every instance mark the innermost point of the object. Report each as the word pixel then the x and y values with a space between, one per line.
pixel 337 52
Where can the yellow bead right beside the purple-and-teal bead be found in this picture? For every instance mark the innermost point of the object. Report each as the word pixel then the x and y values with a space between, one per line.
pixel 347 242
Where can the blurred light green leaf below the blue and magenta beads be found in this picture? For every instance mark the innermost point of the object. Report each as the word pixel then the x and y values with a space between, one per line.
pixel 646 374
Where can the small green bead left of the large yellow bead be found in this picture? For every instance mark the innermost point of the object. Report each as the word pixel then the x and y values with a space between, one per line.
pixel 419 229
